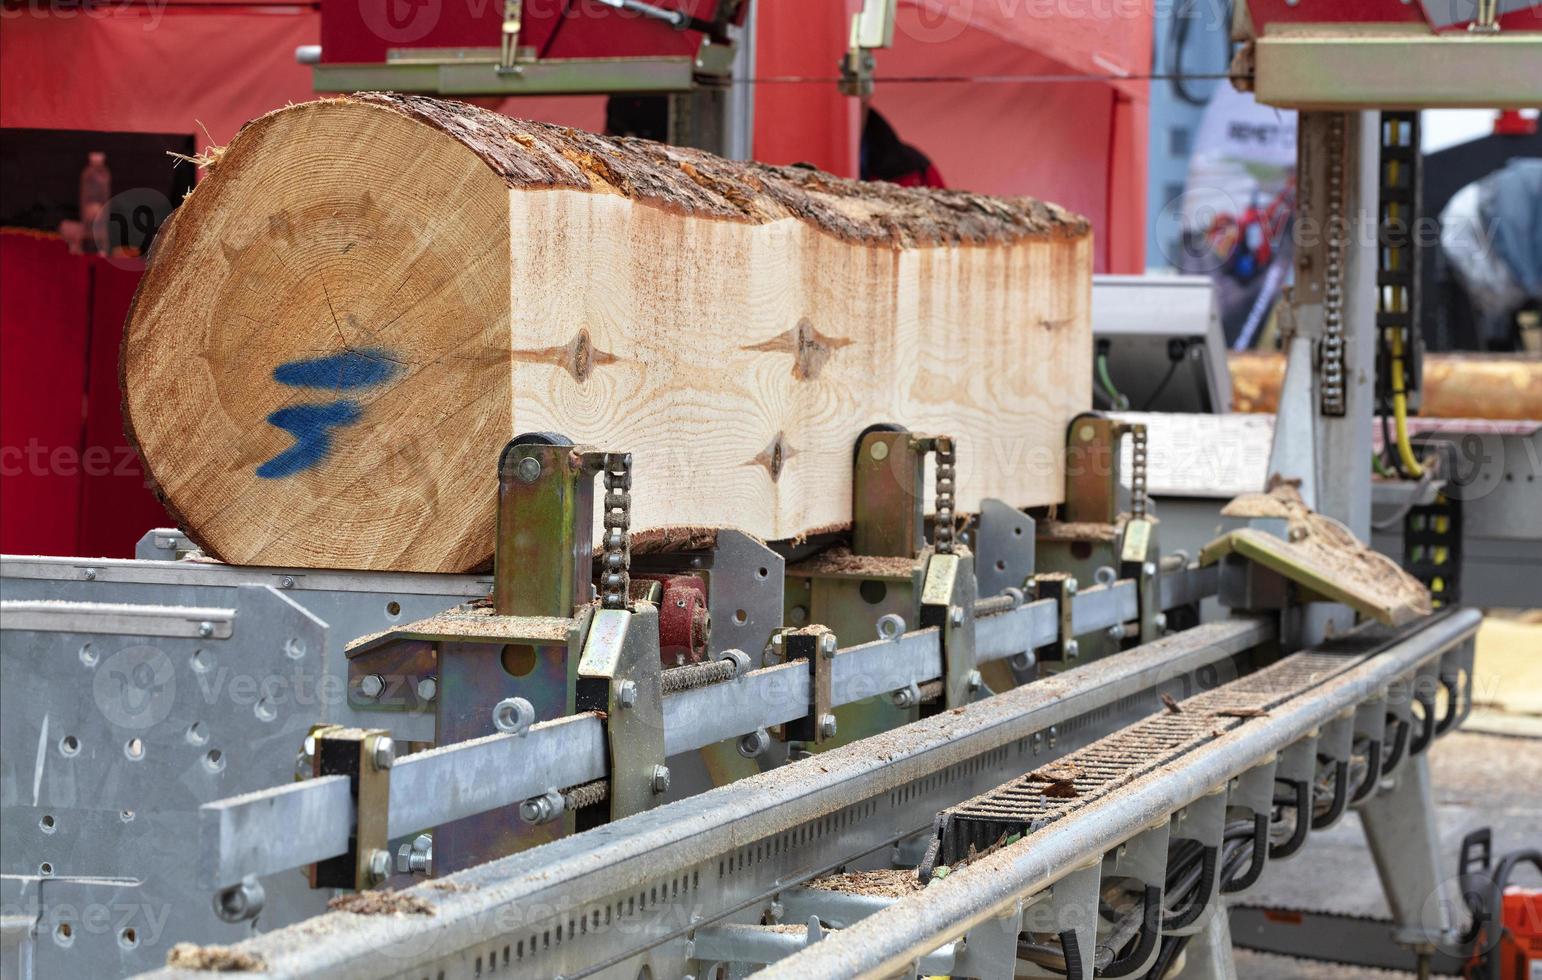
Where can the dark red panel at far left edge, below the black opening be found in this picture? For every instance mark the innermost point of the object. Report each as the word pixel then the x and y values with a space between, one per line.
pixel 44 327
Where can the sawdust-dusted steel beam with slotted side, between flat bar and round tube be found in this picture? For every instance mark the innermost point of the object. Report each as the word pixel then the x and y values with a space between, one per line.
pixel 639 887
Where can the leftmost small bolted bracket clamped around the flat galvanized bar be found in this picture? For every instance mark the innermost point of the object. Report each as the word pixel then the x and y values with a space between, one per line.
pixel 366 757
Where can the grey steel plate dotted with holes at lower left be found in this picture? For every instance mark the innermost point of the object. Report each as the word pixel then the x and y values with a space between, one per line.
pixel 112 745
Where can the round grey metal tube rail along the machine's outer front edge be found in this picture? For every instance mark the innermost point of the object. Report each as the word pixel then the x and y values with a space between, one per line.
pixel 891 941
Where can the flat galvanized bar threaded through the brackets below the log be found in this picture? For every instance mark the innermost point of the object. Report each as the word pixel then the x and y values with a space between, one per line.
pixel 301 824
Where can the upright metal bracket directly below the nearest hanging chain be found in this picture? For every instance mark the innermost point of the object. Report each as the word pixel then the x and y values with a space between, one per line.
pixel 619 676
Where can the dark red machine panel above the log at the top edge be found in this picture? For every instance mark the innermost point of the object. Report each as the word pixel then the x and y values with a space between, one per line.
pixel 363 32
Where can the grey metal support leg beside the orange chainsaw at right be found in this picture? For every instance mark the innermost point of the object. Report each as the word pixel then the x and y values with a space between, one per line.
pixel 1401 830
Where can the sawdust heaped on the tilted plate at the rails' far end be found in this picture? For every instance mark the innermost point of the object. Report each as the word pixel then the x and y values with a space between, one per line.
pixel 1328 545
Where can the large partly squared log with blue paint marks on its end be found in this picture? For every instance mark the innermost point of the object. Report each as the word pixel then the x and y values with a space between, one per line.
pixel 368 297
